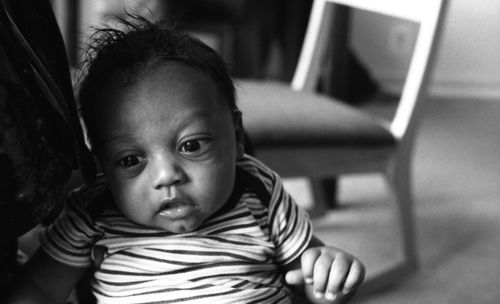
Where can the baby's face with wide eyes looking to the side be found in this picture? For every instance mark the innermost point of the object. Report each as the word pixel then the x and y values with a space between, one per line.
pixel 168 146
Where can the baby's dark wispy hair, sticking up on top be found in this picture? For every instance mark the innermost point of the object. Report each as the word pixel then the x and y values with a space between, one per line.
pixel 136 45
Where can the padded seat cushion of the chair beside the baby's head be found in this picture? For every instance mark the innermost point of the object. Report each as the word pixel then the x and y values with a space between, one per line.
pixel 276 115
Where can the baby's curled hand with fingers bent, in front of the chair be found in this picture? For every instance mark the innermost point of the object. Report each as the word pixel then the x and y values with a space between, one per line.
pixel 332 273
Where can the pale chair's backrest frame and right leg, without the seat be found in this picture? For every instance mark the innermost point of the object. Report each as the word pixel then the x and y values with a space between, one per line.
pixel 429 15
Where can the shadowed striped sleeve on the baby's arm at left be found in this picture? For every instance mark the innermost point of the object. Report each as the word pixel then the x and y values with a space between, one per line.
pixel 70 238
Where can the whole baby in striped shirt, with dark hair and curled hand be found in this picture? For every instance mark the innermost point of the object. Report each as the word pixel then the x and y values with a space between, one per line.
pixel 181 213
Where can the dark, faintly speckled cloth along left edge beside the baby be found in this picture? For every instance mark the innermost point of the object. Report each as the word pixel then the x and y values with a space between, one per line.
pixel 41 141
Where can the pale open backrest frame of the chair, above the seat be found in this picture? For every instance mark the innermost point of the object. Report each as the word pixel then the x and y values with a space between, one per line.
pixel 427 13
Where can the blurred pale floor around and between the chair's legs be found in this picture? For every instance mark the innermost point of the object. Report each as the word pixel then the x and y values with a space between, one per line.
pixel 456 183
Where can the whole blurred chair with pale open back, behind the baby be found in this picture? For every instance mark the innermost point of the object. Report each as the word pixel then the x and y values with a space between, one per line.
pixel 300 133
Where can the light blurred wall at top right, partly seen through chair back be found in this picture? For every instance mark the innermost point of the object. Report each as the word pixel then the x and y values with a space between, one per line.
pixel 467 63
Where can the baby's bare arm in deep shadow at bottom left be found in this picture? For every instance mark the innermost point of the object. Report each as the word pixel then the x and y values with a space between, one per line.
pixel 44 280
